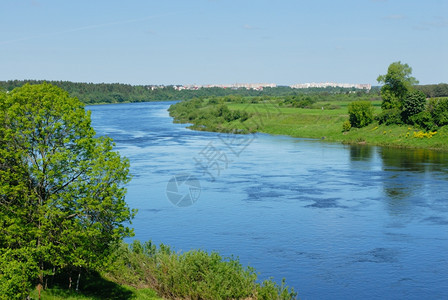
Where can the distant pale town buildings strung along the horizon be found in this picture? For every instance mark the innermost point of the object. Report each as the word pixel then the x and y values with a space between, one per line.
pixel 261 86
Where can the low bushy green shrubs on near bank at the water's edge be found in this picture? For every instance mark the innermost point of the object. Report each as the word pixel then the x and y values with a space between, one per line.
pixel 191 275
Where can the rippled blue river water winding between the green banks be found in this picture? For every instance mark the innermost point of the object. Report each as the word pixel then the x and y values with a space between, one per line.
pixel 336 221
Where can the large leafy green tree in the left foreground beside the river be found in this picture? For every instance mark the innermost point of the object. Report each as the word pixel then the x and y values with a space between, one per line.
pixel 61 188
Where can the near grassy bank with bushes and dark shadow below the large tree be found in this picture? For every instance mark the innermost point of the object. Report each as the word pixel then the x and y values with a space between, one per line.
pixel 144 271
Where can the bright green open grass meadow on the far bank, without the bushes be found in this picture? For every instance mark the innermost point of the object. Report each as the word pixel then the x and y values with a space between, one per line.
pixel 326 124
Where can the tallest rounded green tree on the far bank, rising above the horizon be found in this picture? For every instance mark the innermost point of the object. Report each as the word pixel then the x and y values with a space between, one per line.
pixel 397 83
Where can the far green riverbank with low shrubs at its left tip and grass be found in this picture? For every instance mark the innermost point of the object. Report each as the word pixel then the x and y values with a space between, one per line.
pixel 321 120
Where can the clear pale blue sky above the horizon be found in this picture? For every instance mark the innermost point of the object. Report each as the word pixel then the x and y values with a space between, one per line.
pixel 222 41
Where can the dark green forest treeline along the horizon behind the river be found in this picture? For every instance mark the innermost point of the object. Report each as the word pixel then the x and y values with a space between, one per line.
pixel 94 93
